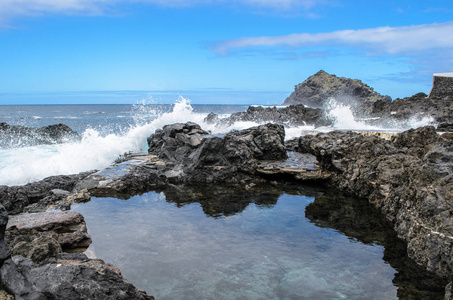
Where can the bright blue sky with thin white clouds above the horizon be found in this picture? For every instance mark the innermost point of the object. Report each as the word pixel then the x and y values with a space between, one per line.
pixel 59 46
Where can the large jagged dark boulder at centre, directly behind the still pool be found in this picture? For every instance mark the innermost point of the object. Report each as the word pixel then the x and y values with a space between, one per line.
pixel 200 158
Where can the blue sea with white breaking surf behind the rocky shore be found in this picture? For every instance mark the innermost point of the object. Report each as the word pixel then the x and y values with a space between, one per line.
pixel 109 131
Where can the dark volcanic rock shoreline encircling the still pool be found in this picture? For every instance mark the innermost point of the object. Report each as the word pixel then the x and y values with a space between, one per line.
pixel 408 178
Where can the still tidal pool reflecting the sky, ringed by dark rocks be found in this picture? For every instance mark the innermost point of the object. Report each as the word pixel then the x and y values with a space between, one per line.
pixel 260 243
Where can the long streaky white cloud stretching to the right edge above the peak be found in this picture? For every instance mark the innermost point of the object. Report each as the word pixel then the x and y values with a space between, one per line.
pixel 390 40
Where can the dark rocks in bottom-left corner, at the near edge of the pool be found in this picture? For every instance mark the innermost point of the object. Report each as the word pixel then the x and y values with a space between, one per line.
pixel 70 276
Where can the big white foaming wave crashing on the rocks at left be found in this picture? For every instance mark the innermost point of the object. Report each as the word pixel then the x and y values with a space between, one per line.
pixel 96 149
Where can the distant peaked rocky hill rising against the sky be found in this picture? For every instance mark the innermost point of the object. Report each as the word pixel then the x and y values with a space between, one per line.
pixel 318 89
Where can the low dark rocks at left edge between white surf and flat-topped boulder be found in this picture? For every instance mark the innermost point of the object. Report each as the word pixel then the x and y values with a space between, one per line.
pixel 37 196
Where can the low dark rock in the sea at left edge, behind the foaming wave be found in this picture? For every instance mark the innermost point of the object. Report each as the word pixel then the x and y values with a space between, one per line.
pixel 21 136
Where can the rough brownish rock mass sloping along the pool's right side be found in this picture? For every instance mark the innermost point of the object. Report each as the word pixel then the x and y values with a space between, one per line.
pixel 410 179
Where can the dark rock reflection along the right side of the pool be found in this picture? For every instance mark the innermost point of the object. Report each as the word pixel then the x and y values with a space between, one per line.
pixel 363 223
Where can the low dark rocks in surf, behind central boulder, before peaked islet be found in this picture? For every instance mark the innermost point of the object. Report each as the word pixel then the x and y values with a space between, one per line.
pixel 293 115
